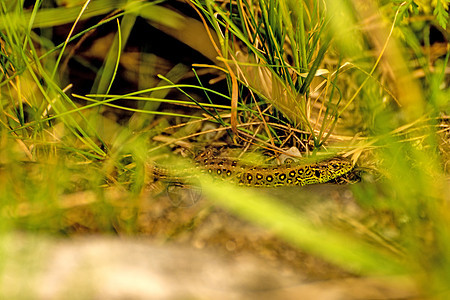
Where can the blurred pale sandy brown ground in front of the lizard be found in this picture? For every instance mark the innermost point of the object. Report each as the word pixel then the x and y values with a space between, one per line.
pixel 189 249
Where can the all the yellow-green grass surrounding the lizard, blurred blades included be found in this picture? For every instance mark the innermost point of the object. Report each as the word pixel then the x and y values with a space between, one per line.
pixel 378 94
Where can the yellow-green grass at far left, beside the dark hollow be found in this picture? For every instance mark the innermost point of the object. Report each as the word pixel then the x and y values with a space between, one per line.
pixel 52 147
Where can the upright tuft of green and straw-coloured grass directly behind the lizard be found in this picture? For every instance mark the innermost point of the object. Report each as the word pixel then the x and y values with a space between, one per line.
pixel 275 52
